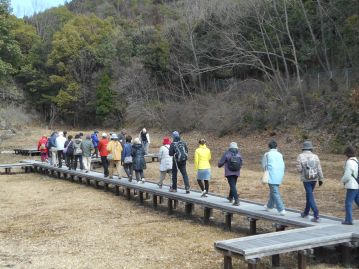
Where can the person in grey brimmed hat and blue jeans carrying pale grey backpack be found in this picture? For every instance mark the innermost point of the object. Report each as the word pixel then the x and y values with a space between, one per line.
pixel 308 165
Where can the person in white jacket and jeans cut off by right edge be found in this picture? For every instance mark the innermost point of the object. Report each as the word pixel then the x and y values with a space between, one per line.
pixel 349 180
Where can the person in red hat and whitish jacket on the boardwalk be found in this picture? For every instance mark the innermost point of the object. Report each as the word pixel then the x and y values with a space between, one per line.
pixel 165 160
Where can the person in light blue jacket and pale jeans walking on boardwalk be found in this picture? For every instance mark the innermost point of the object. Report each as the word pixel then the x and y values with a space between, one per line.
pixel 274 163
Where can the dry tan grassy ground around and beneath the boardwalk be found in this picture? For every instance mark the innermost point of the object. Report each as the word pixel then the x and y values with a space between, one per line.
pixel 47 223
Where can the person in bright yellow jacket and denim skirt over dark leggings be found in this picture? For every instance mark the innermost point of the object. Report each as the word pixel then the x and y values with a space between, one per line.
pixel 202 156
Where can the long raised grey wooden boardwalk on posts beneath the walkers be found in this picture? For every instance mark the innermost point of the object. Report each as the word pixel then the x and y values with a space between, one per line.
pixel 310 235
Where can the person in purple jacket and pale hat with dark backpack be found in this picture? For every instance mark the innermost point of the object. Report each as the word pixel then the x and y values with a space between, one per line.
pixel 232 162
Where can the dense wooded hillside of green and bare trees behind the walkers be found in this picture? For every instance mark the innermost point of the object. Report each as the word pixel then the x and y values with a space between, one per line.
pixel 212 65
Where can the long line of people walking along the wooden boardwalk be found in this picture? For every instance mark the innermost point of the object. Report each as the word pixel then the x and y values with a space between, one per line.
pixel 120 150
